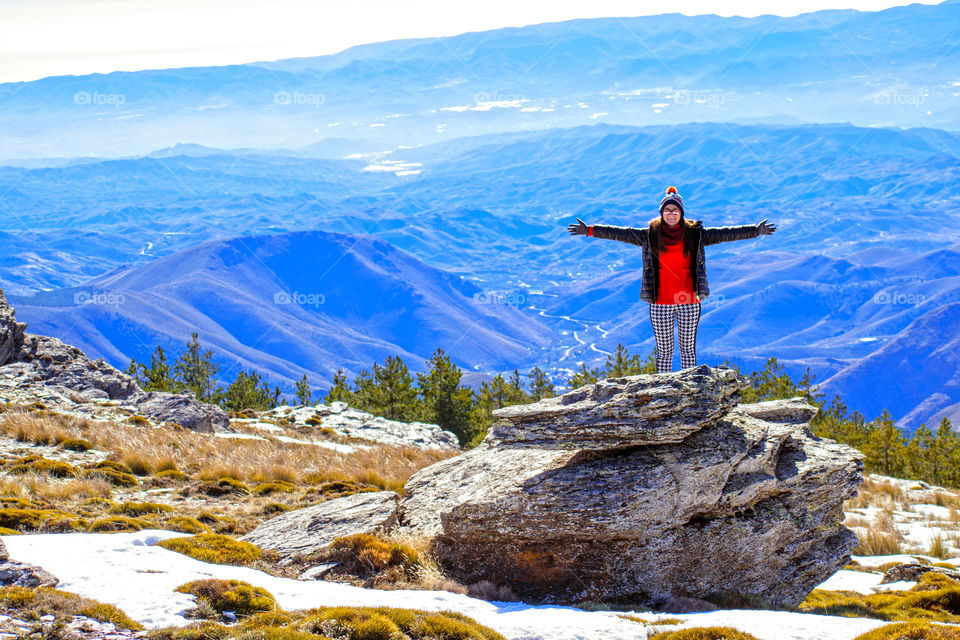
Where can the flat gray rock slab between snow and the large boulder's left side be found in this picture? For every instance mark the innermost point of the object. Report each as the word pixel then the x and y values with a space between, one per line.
pixel 305 531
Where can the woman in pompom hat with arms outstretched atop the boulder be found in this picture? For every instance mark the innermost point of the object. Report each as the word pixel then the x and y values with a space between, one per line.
pixel 674 277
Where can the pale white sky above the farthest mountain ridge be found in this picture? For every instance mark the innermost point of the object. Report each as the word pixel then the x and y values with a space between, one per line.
pixel 40 38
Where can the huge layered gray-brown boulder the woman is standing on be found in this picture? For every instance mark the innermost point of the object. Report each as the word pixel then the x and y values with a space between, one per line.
pixel 648 489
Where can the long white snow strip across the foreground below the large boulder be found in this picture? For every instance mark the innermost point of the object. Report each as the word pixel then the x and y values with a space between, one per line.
pixel 126 570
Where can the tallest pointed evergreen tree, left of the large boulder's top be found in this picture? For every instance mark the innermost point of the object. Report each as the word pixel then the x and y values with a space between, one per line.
pixel 443 401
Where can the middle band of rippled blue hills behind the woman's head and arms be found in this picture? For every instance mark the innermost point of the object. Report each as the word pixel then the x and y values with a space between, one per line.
pixel 492 208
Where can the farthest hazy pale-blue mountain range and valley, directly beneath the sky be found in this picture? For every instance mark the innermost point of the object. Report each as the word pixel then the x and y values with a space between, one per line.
pixel 886 68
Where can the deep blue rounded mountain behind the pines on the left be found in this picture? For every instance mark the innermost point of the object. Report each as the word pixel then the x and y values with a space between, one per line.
pixel 287 305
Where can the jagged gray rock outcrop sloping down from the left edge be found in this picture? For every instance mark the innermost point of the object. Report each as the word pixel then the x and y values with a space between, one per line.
pixel 64 371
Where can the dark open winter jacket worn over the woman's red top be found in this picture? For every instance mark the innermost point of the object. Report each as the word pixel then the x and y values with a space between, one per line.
pixel 696 238
